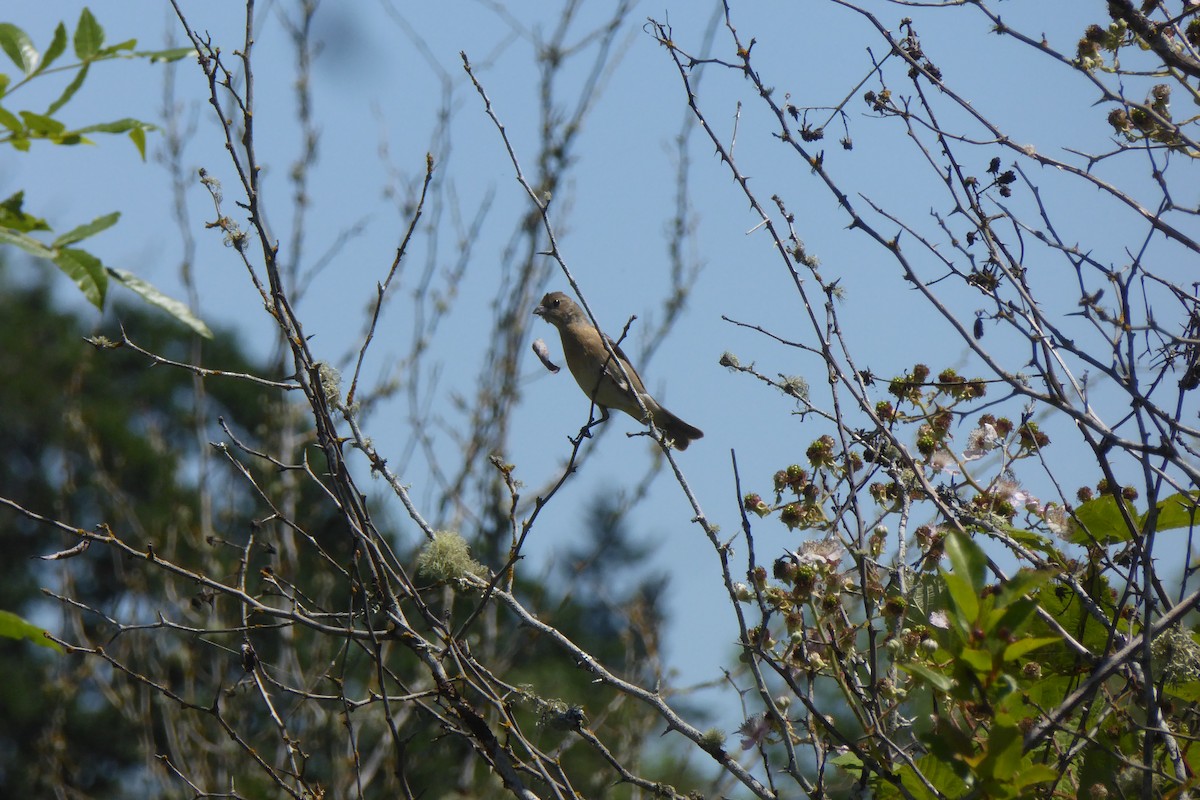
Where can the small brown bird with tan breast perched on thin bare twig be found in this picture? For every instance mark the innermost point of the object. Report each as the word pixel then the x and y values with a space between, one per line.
pixel 599 376
